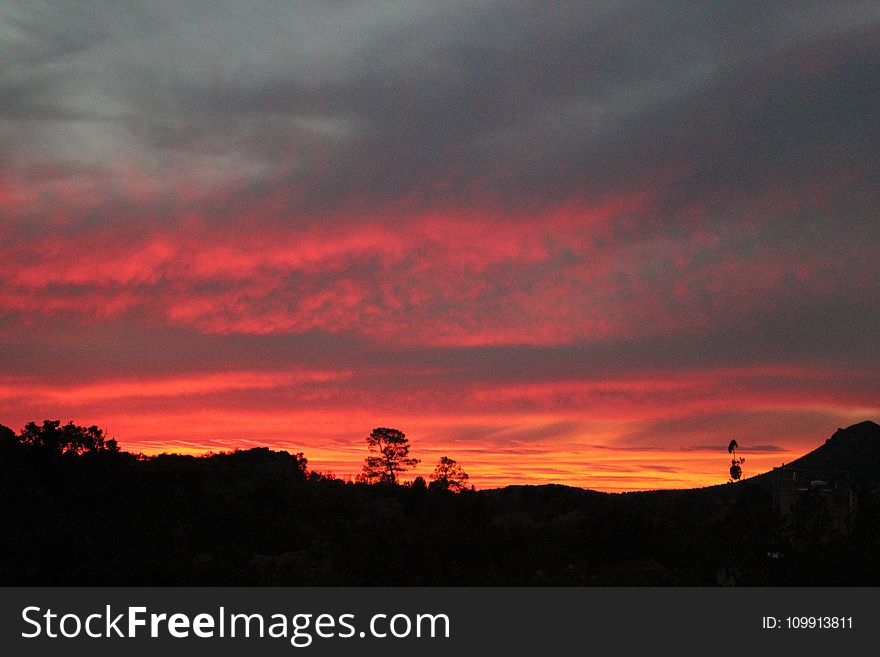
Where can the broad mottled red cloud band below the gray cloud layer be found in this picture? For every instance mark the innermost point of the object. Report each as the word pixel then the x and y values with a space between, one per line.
pixel 563 276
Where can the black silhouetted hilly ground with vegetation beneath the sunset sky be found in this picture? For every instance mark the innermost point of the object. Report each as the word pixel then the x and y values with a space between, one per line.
pixel 92 515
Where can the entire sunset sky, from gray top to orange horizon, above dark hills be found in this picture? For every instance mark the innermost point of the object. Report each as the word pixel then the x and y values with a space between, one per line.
pixel 577 243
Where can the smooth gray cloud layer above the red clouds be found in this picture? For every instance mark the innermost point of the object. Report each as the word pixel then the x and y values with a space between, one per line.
pixel 502 104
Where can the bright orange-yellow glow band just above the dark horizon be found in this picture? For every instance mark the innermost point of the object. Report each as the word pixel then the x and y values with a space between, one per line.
pixel 613 447
